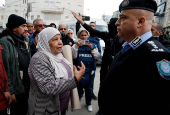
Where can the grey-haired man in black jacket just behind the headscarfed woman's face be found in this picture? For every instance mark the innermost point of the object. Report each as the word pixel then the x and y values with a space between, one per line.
pixel 65 38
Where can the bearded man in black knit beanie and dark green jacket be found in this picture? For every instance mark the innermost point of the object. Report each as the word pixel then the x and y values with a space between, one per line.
pixel 16 57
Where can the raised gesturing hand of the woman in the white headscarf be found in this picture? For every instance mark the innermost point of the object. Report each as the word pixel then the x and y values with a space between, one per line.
pixel 79 74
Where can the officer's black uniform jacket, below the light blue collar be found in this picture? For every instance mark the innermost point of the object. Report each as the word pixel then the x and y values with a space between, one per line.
pixel 133 84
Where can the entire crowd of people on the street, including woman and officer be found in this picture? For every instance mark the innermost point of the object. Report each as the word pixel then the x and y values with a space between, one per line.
pixel 36 79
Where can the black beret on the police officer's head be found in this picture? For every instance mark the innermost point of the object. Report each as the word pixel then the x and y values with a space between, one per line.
pixel 149 5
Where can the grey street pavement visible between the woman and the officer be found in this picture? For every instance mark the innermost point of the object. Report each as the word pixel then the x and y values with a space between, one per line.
pixel 84 110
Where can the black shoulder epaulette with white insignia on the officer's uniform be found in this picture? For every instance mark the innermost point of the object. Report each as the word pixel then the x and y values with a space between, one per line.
pixel 154 46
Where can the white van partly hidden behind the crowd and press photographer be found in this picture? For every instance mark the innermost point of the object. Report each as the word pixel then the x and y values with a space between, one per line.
pixel 100 25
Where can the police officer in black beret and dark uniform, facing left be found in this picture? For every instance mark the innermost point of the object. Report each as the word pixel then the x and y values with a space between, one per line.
pixel 138 81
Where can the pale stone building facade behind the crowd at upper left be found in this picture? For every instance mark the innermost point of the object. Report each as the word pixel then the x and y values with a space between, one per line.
pixel 51 11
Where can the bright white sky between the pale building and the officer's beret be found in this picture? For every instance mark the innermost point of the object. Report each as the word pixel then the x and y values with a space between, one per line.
pixel 96 8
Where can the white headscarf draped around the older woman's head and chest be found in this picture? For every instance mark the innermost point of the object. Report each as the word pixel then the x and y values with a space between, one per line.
pixel 43 46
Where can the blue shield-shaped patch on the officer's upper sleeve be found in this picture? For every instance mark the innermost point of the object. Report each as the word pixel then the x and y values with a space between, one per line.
pixel 164 69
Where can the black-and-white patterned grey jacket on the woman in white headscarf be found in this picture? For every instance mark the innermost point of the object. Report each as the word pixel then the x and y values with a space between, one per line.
pixel 45 88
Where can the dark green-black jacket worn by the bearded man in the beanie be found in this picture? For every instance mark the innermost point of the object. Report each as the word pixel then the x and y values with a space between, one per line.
pixel 13 59
